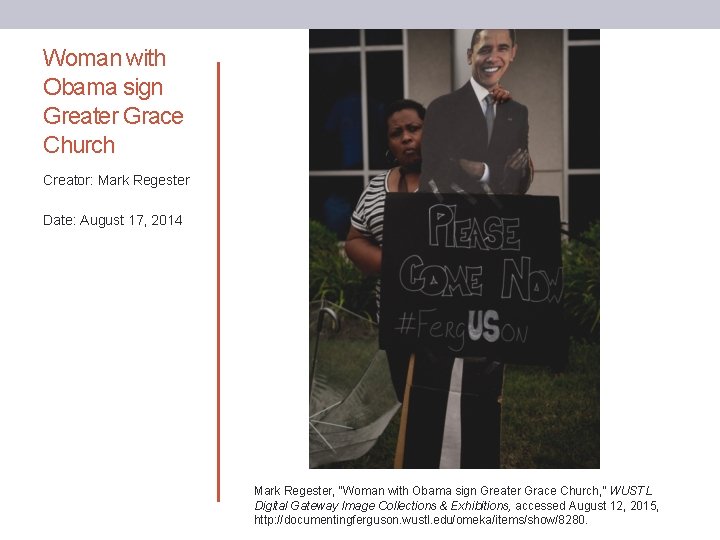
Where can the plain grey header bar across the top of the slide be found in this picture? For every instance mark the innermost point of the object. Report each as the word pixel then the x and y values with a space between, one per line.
pixel 356 14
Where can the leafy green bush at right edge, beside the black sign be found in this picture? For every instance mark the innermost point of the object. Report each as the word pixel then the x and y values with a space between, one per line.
pixel 581 267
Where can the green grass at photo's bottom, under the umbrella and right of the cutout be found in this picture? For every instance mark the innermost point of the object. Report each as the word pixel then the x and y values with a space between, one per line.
pixel 548 420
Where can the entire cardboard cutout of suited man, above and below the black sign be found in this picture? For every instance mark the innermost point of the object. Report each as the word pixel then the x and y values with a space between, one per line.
pixel 471 145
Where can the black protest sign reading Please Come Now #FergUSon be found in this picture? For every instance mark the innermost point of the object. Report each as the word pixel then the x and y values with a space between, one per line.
pixel 478 276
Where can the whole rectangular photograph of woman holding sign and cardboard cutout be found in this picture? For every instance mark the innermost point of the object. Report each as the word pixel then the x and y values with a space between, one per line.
pixel 454 257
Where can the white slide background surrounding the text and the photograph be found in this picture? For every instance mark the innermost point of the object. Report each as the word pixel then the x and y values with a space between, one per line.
pixel 107 355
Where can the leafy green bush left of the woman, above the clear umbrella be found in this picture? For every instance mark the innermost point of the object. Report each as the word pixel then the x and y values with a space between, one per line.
pixel 334 277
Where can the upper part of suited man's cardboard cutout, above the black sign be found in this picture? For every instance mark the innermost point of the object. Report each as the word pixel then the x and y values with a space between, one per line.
pixel 472 144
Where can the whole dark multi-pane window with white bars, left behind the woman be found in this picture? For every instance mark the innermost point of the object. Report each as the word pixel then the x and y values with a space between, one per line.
pixel 339 144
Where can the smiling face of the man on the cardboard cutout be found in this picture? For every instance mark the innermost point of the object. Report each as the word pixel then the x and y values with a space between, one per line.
pixel 491 55
